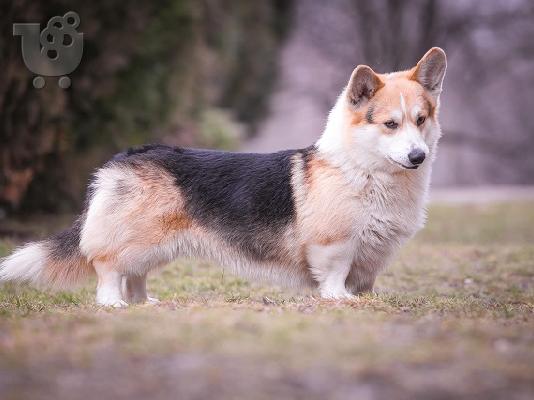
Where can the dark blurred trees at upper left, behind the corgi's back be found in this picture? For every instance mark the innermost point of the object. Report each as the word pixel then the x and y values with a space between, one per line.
pixel 151 71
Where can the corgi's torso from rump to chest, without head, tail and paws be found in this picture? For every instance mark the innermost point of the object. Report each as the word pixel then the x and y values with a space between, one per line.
pixel 271 216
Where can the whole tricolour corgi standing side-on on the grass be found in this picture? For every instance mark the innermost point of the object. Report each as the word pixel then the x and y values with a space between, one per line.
pixel 329 216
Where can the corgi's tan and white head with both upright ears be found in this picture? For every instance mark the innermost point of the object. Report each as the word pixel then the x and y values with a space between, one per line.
pixel 390 120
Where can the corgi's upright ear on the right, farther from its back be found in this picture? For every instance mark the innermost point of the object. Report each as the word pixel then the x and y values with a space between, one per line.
pixel 430 70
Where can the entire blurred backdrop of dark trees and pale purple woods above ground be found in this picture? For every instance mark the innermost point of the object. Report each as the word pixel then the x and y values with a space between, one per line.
pixel 255 76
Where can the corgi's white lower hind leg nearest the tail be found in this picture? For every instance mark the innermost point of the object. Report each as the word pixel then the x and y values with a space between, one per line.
pixel 108 290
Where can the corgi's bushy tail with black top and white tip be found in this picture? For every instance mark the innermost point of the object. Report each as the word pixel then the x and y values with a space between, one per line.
pixel 55 263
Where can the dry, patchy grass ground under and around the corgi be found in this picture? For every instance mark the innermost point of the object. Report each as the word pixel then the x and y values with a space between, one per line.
pixel 453 317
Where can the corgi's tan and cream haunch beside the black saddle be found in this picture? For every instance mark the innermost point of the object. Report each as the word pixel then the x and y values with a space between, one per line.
pixel 148 213
